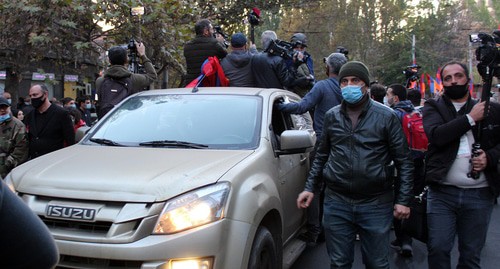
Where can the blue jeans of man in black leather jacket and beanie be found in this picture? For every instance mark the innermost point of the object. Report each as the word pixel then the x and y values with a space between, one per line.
pixel 342 221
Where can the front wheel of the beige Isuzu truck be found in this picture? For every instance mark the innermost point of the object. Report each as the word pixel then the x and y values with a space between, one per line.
pixel 263 255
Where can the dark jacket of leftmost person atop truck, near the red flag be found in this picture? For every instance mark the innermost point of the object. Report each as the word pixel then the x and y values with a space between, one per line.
pixel 196 51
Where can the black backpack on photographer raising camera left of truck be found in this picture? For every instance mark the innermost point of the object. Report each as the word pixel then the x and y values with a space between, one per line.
pixel 112 92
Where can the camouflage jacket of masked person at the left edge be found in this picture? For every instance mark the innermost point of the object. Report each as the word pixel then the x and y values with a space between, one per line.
pixel 13 145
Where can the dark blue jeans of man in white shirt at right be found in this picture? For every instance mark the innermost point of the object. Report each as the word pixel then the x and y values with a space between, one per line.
pixel 463 212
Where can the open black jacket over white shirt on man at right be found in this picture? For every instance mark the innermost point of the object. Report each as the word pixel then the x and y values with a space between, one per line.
pixel 444 126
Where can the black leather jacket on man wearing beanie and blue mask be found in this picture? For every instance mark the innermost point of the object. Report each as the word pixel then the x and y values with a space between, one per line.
pixel 355 163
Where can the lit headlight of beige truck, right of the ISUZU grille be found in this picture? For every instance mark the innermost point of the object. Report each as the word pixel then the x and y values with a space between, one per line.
pixel 193 209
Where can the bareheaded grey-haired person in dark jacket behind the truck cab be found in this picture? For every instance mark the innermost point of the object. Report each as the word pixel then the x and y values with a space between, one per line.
pixel 270 70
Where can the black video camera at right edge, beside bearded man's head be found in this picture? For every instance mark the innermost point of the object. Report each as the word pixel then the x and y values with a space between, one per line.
pixel 488 52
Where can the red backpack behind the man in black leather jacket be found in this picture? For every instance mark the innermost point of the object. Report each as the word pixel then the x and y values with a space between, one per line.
pixel 415 135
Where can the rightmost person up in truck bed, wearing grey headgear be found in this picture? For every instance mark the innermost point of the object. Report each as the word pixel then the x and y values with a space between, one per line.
pixel 303 60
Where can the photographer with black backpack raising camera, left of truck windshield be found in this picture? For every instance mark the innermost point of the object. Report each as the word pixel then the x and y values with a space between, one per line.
pixel 118 82
